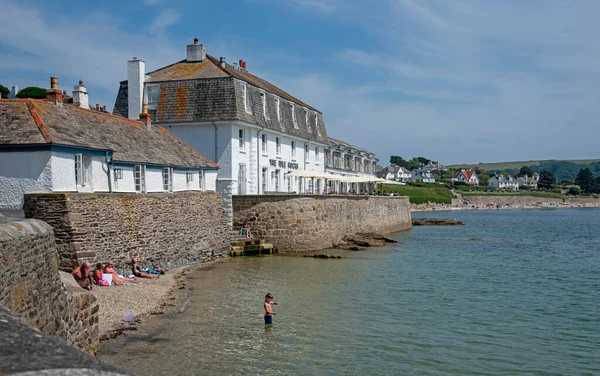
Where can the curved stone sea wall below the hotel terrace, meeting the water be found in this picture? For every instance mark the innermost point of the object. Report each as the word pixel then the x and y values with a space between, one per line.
pixel 313 222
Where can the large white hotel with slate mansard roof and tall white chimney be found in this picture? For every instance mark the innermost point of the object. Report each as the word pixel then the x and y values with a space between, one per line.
pixel 256 132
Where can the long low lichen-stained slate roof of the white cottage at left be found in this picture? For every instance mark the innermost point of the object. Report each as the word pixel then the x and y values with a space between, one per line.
pixel 38 122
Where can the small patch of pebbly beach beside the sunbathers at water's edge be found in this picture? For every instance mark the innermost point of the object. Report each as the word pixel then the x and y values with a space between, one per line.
pixel 145 298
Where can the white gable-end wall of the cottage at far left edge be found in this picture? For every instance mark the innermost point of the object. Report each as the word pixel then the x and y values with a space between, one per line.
pixel 23 172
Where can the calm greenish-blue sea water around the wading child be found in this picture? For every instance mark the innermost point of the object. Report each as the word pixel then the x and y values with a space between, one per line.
pixel 509 293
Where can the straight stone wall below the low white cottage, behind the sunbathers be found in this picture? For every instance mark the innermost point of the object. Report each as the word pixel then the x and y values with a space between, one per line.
pixel 172 229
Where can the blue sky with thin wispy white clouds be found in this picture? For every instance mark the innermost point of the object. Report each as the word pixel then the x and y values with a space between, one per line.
pixel 454 81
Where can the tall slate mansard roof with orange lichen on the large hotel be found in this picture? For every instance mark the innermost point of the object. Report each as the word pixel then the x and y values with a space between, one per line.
pixel 206 92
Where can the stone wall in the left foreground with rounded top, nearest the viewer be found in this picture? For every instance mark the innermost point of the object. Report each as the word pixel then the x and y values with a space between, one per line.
pixel 30 286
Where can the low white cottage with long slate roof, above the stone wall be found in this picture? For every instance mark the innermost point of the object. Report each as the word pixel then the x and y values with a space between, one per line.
pixel 47 146
